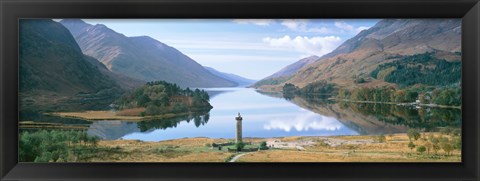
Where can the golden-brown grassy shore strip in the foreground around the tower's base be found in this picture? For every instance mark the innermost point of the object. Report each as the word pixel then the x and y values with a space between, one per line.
pixel 365 148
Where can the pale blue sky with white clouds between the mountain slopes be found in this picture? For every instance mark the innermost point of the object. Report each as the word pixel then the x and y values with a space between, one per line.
pixel 252 48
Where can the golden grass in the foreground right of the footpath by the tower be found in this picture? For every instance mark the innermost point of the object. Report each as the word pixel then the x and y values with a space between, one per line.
pixel 394 149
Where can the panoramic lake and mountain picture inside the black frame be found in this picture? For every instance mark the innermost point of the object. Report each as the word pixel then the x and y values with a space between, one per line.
pixel 390 92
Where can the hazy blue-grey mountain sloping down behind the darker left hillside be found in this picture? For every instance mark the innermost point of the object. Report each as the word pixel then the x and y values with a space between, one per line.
pixel 141 57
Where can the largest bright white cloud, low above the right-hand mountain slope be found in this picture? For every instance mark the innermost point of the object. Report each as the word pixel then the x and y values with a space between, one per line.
pixel 314 45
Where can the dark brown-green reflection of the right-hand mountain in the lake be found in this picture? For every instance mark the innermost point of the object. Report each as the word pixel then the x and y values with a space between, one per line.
pixel 382 118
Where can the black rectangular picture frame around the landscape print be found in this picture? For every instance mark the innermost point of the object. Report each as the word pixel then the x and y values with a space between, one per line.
pixel 12 10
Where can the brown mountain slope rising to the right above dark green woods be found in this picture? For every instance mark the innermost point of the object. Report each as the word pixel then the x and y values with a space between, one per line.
pixel 390 40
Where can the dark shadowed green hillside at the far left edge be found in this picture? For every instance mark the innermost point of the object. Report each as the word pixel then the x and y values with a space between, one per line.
pixel 55 74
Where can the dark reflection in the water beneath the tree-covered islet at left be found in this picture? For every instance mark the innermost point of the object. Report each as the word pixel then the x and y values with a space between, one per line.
pixel 112 130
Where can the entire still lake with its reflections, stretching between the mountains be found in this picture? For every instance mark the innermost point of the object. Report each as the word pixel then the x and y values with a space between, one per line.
pixel 271 115
